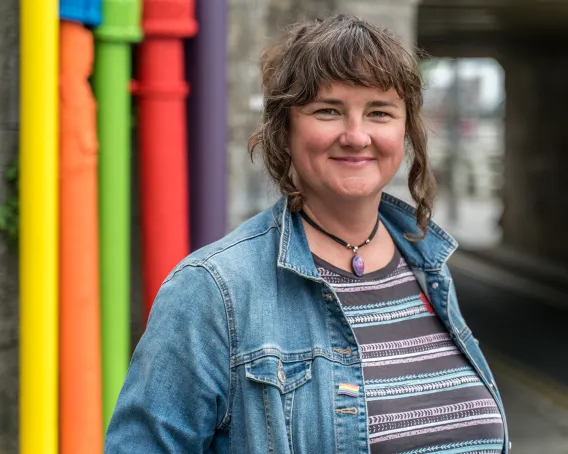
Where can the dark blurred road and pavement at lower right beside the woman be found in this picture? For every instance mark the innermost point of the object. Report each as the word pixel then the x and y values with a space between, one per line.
pixel 522 325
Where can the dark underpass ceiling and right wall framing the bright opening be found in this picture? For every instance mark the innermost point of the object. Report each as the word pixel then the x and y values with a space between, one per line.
pixel 529 41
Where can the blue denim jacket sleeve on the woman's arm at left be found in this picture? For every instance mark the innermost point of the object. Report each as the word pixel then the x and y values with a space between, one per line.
pixel 176 390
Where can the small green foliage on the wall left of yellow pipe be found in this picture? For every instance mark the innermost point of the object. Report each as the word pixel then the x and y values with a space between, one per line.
pixel 9 209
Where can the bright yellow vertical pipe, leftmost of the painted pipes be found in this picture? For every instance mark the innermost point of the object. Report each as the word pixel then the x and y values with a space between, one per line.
pixel 39 226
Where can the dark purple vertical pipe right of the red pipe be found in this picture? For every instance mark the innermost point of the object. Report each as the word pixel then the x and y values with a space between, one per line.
pixel 206 59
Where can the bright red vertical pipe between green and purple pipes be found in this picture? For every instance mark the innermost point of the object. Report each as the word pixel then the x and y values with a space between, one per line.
pixel 162 91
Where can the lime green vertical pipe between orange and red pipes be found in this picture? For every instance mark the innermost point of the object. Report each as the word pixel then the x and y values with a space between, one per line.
pixel 121 25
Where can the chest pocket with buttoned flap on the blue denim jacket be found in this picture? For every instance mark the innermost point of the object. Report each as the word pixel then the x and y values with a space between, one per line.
pixel 278 382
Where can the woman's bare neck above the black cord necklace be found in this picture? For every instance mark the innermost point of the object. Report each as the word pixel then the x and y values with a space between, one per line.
pixel 351 221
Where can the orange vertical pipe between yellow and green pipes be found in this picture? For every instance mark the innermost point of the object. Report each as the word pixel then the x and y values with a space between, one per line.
pixel 81 421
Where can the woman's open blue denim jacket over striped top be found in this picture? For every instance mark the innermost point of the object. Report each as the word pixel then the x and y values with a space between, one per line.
pixel 246 344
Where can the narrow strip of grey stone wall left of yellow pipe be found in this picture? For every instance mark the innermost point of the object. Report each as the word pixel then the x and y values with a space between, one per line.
pixel 9 113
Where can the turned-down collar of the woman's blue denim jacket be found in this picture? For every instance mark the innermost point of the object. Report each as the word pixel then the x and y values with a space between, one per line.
pixel 429 254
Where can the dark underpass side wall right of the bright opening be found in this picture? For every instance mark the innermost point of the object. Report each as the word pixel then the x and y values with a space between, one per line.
pixel 536 186
